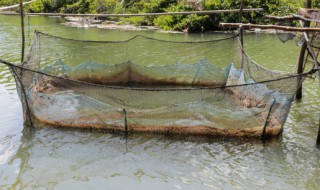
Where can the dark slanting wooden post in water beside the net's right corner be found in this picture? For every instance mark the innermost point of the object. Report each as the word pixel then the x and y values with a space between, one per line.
pixel 302 55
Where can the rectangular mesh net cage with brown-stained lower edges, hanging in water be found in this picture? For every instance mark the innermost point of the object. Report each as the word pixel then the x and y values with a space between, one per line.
pixel 144 84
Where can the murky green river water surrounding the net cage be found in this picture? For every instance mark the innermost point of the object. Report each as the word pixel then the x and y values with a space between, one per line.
pixel 49 158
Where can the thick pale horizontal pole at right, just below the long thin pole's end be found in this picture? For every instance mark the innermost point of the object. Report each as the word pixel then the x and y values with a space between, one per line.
pixel 284 28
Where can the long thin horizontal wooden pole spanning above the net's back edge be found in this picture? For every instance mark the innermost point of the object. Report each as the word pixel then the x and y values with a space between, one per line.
pixel 142 14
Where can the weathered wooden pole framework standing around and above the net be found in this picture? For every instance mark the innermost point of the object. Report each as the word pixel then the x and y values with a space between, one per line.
pixel 304 15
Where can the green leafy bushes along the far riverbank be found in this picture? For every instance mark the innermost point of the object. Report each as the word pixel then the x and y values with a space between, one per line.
pixel 175 22
